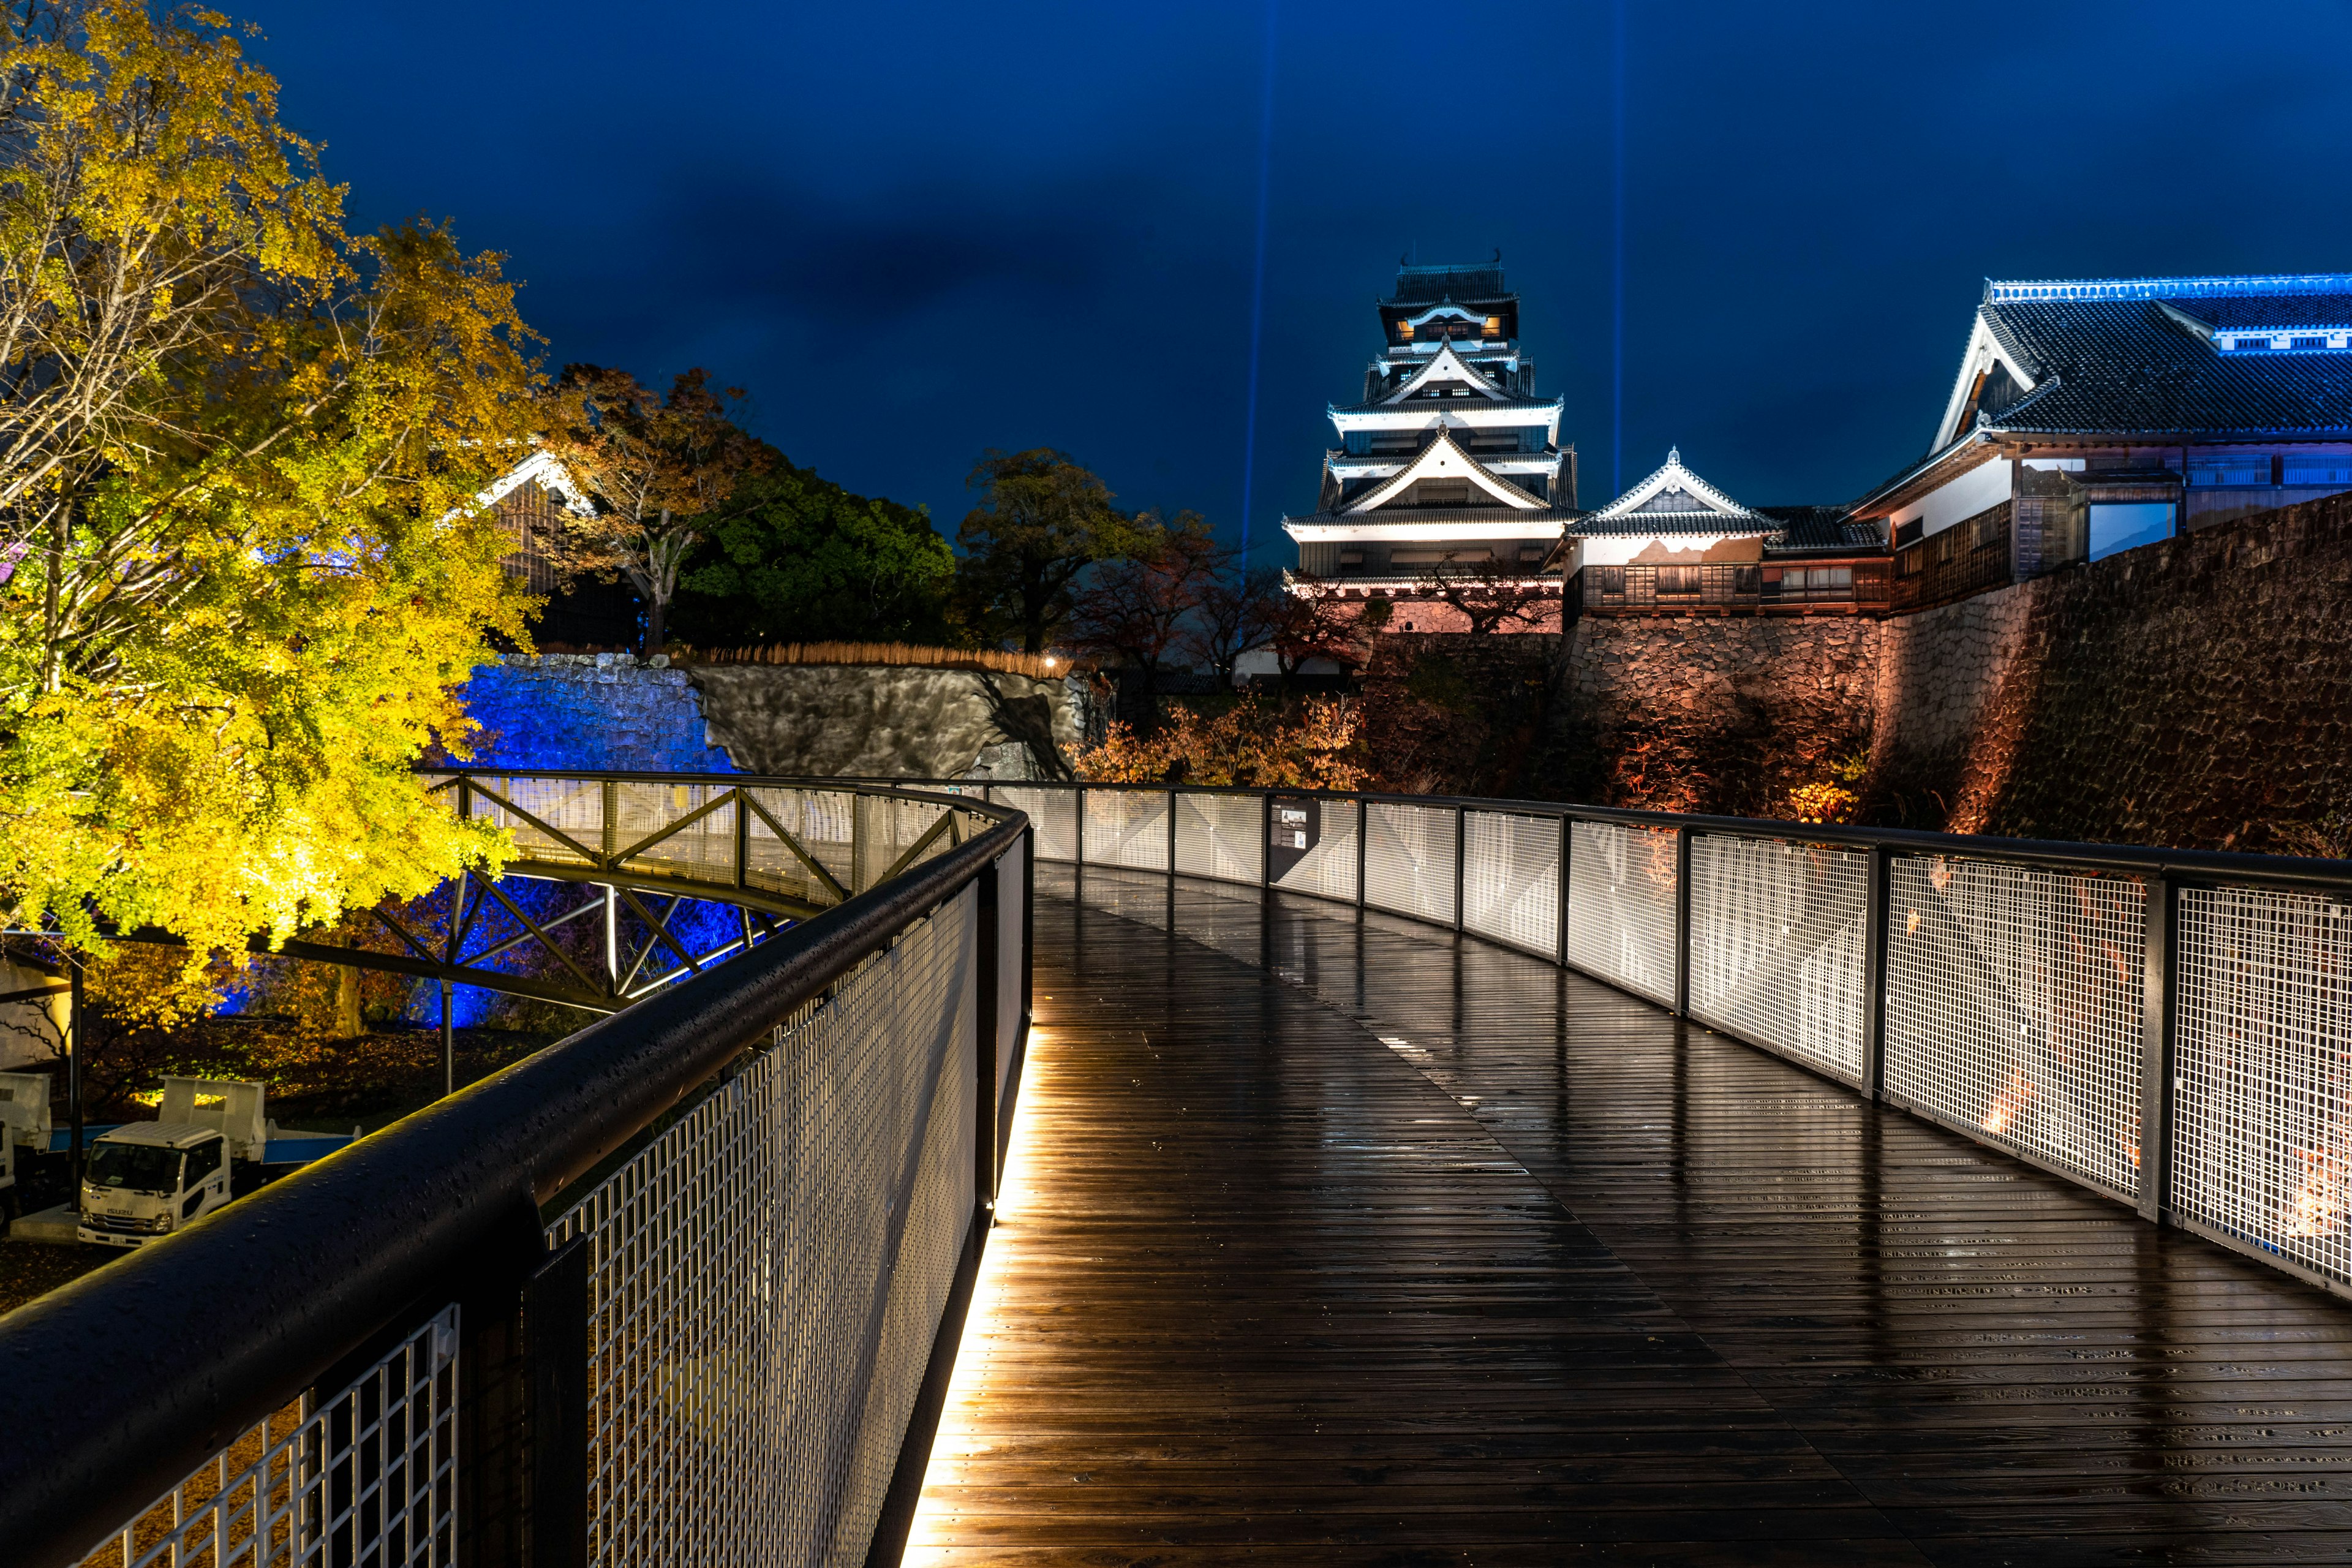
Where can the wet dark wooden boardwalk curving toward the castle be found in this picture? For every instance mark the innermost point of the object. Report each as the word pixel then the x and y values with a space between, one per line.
pixel 1337 1240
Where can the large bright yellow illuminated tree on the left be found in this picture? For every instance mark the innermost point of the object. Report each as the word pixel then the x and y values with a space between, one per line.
pixel 241 455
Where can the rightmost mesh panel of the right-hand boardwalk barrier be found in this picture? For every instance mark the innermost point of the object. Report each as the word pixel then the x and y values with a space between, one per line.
pixel 2264 1071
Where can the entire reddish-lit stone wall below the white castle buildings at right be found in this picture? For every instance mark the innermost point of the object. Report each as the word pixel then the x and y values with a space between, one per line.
pixel 2184 695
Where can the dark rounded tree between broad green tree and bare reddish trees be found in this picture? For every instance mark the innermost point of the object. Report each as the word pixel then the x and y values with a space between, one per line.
pixel 1041 521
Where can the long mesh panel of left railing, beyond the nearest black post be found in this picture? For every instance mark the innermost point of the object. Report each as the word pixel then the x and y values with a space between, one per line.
pixel 768 1275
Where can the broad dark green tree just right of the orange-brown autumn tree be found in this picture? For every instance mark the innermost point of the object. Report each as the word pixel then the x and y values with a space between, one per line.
pixel 806 561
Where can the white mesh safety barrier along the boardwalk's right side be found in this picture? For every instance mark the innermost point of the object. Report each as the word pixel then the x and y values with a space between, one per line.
pixel 2170 1028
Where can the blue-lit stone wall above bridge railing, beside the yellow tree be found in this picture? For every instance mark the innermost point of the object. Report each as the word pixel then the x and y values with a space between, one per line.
pixel 592 711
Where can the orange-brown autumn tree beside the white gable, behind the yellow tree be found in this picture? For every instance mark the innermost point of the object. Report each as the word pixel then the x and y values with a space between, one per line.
pixel 660 471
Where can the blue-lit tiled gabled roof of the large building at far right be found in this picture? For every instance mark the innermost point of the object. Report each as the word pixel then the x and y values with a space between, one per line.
pixel 2141 356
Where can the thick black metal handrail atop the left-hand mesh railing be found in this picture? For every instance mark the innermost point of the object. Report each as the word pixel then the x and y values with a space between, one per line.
pixel 211 1329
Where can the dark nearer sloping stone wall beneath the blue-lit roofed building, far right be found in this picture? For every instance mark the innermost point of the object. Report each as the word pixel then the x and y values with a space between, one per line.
pixel 2184 695
